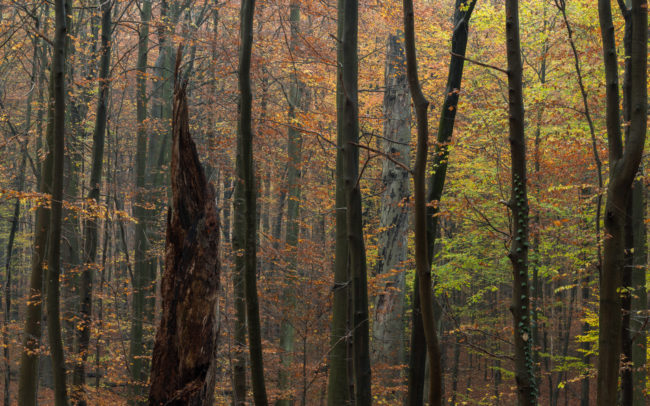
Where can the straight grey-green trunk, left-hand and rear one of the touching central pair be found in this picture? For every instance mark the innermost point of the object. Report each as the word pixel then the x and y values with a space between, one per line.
pixel 337 384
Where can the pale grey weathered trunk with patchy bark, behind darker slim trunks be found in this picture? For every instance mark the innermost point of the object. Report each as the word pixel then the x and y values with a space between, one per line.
pixel 388 321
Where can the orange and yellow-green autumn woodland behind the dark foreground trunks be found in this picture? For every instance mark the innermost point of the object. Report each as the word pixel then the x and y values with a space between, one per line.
pixel 294 81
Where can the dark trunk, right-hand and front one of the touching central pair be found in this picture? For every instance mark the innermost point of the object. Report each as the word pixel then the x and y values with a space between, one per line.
pixel 354 220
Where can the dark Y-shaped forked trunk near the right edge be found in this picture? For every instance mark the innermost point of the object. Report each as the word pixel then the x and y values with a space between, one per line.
pixel 624 164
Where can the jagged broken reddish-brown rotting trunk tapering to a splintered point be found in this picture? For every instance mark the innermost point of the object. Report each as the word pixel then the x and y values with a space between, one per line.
pixel 183 365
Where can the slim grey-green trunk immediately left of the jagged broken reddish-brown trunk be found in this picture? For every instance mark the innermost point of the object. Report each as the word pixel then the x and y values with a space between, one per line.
pixel 141 257
